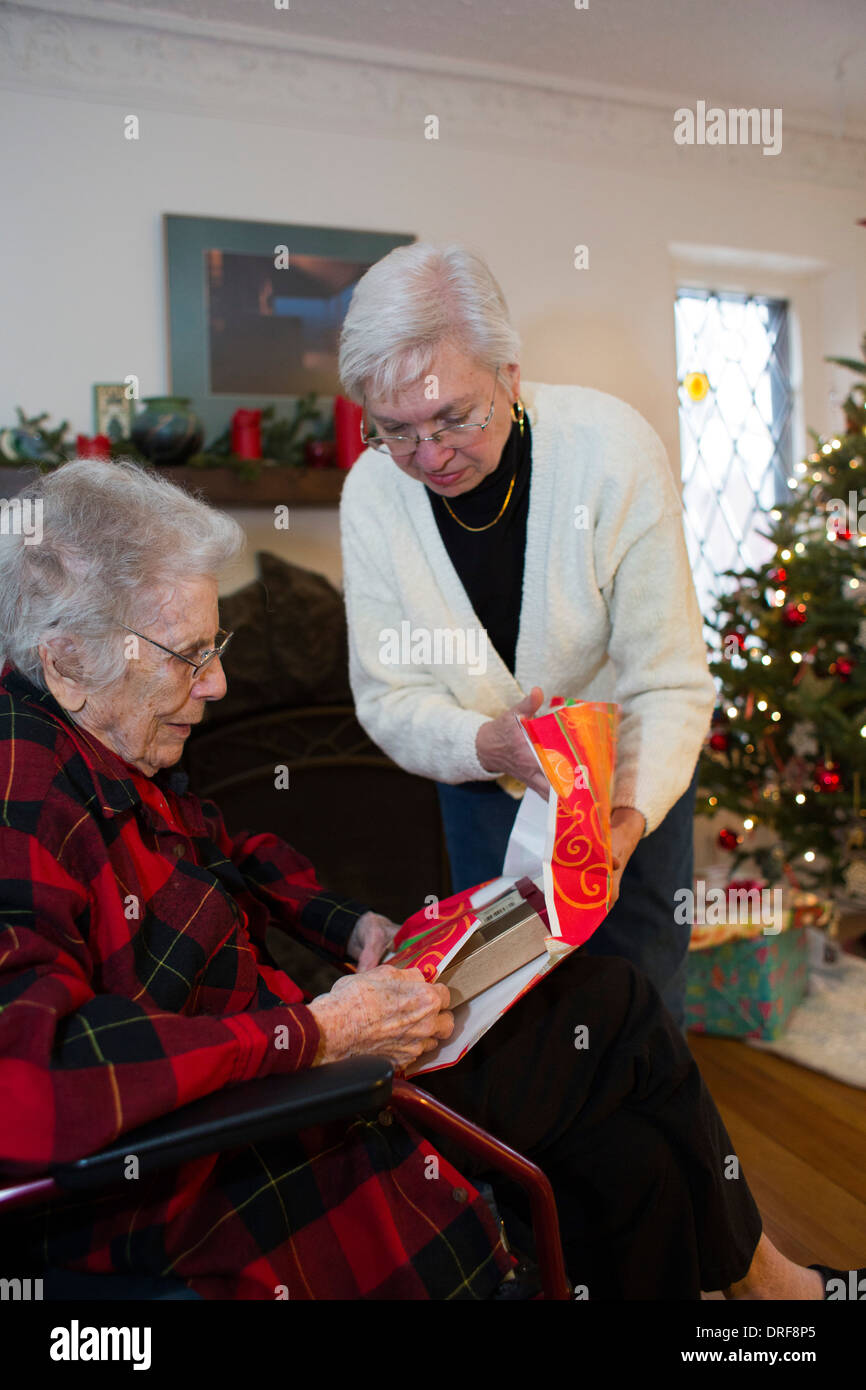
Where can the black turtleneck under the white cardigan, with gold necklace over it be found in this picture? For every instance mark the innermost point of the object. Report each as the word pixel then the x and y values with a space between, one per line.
pixel 490 564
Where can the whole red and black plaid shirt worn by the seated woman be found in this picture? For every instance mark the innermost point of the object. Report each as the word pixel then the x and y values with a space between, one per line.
pixel 134 979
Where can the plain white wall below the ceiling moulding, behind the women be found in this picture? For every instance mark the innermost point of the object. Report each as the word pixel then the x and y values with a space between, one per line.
pixel 84 276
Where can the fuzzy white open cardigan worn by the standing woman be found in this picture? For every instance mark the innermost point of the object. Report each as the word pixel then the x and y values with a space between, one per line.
pixel 608 611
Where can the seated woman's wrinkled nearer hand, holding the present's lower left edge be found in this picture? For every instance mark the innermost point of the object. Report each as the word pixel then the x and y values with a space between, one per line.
pixel 384 1013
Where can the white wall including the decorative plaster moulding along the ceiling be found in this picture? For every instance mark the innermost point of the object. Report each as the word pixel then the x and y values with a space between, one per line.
pixel 523 176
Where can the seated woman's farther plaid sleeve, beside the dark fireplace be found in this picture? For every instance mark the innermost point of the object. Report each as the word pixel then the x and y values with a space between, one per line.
pixel 283 882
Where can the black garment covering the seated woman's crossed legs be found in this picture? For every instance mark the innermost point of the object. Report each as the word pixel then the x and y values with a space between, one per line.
pixel 591 1079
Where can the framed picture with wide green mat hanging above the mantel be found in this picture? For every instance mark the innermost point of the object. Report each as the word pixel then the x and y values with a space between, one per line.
pixel 255 309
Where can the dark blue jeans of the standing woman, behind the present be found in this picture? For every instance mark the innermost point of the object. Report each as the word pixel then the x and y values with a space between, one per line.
pixel 642 928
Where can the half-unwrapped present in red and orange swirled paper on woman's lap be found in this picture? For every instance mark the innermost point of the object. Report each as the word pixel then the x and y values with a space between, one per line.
pixel 494 943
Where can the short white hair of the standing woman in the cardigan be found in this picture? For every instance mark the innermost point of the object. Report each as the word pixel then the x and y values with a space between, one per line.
pixel 412 302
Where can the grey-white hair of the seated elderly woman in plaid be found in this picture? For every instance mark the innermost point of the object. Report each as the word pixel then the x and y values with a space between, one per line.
pixel 115 537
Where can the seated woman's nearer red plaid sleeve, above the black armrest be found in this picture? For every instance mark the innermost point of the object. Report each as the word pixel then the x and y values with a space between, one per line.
pixel 80 1068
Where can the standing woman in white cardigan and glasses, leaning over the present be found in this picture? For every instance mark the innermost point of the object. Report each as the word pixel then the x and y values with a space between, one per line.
pixel 505 544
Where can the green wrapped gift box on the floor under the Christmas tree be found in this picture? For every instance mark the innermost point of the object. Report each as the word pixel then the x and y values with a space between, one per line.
pixel 747 975
